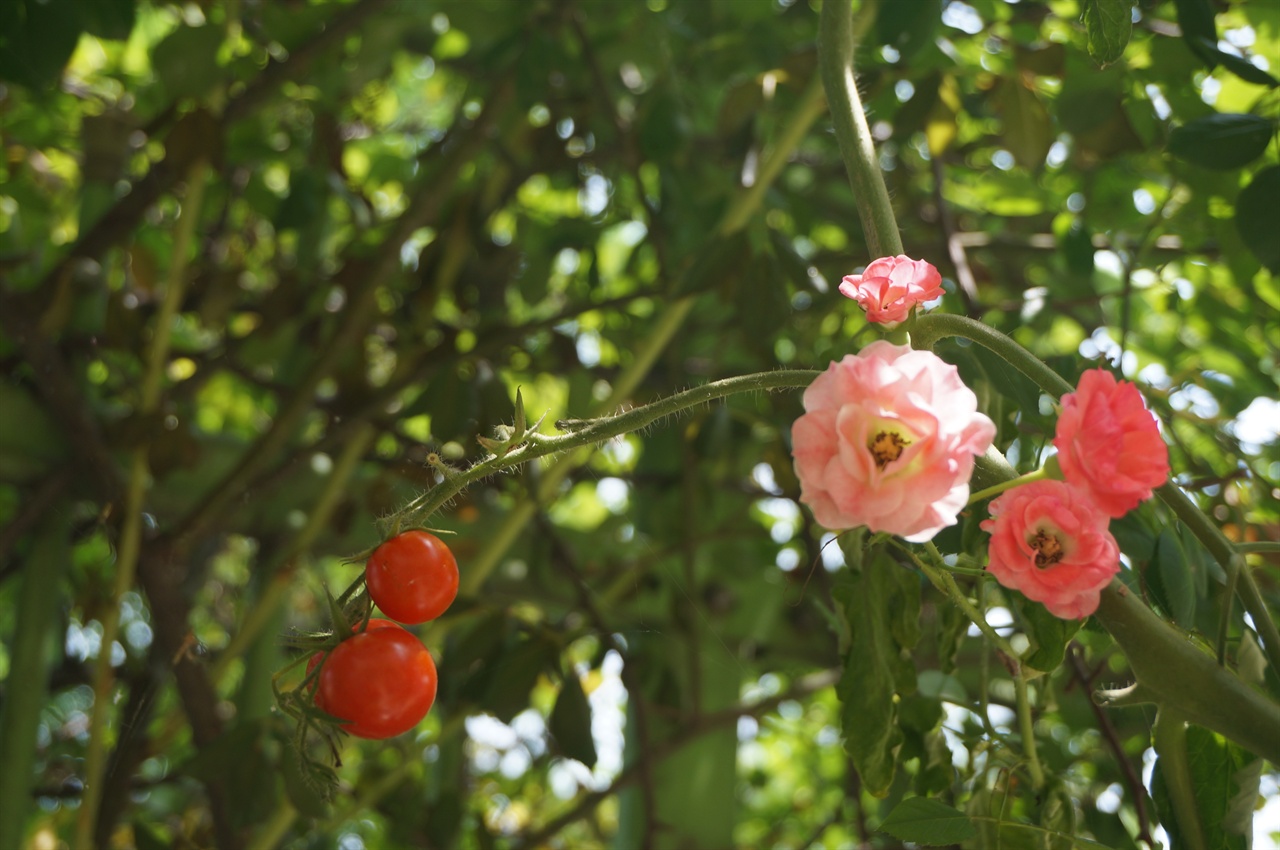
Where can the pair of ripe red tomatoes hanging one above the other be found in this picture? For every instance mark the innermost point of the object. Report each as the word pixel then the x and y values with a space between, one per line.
pixel 382 680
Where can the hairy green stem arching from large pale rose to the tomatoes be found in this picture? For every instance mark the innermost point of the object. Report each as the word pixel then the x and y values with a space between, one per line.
pixel 600 431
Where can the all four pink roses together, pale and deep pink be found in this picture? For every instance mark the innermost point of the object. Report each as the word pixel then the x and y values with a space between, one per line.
pixel 889 440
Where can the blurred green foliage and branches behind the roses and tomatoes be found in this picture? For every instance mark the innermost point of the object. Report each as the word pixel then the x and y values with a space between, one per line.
pixel 382 218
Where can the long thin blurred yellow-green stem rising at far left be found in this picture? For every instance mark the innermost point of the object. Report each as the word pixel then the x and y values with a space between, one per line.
pixel 131 531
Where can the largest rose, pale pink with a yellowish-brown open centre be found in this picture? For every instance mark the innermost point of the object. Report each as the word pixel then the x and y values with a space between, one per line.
pixel 888 441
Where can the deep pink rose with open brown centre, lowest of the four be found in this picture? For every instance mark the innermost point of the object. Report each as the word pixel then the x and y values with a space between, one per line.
pixel 1052 542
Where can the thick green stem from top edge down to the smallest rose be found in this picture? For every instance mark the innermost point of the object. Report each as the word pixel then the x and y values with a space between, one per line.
pixel 836 60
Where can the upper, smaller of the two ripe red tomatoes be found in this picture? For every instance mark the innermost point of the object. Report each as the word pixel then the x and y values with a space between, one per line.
pixel 413 578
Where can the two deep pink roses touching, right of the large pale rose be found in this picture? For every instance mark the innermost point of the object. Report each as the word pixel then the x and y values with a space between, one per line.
pixel 1050 540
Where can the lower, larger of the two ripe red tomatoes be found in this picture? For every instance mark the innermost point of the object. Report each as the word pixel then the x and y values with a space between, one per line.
pixel 382 682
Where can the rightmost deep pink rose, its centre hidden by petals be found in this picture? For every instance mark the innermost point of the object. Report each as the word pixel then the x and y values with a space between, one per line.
pixel 1109 445
